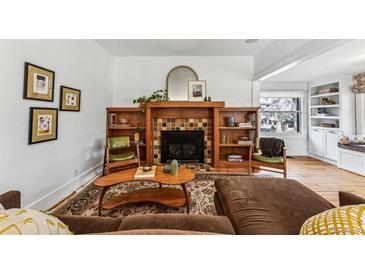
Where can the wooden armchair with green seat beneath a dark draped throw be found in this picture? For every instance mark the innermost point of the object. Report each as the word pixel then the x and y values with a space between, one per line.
pixel 273 164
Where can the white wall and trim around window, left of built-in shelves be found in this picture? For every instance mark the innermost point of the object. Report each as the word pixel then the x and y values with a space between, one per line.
pixel 295 143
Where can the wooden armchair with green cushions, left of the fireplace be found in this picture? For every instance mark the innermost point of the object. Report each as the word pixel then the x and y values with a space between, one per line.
pixel 120 152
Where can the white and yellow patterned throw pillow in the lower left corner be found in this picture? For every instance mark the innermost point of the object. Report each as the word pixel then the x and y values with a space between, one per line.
pixel 17 221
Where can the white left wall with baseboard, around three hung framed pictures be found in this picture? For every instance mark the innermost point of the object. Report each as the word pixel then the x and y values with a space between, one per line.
pixel 47 172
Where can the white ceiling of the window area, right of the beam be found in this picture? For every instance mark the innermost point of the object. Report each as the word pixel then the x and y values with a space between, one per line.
pixel 348 58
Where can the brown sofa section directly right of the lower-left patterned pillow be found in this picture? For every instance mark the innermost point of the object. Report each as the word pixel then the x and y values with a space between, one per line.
pixel 89 224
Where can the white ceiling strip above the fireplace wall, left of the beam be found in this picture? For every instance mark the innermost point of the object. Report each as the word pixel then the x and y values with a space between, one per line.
pixel 183 47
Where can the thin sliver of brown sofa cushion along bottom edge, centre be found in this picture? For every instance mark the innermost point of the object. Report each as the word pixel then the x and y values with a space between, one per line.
pixel 156 232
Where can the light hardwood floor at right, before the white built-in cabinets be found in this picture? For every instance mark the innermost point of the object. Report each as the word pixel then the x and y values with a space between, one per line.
pixel 323 178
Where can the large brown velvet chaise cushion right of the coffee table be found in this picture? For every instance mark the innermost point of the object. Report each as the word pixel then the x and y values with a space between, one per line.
pixel 267 205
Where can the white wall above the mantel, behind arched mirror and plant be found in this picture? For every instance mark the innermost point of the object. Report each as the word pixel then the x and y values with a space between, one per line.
pixel 228 78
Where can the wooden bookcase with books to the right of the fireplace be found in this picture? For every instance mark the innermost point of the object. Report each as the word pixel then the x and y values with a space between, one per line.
pixel 226 136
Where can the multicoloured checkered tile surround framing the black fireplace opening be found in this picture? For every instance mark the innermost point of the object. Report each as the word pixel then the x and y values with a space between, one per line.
pixel 182 124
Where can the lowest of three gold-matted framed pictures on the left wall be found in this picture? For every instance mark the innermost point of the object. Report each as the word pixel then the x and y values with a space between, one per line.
pixel 43 125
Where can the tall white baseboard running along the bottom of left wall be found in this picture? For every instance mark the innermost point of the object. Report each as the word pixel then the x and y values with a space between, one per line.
pixel 58 194
